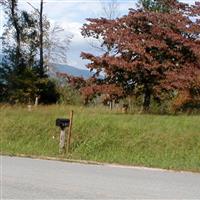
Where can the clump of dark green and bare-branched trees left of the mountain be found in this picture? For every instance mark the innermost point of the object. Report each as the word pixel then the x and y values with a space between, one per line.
pixel 29 43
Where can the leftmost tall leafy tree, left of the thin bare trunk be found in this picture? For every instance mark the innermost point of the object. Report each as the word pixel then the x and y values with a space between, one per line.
pixel 16 74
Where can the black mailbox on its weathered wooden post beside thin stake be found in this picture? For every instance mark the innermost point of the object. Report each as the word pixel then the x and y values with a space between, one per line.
pixel 63 124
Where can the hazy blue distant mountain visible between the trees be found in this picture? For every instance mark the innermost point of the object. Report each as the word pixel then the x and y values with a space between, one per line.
pixel 63 68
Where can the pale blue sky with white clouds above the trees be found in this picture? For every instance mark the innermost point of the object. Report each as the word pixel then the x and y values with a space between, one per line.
pixel 70 15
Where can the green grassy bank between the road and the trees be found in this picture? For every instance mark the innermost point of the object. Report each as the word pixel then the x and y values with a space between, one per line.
pixel 170 142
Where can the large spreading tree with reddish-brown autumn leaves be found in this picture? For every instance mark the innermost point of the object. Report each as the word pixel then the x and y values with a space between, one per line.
pixel 148 52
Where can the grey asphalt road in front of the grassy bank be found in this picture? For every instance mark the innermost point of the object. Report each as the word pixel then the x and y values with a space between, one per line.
pixel 23 178
